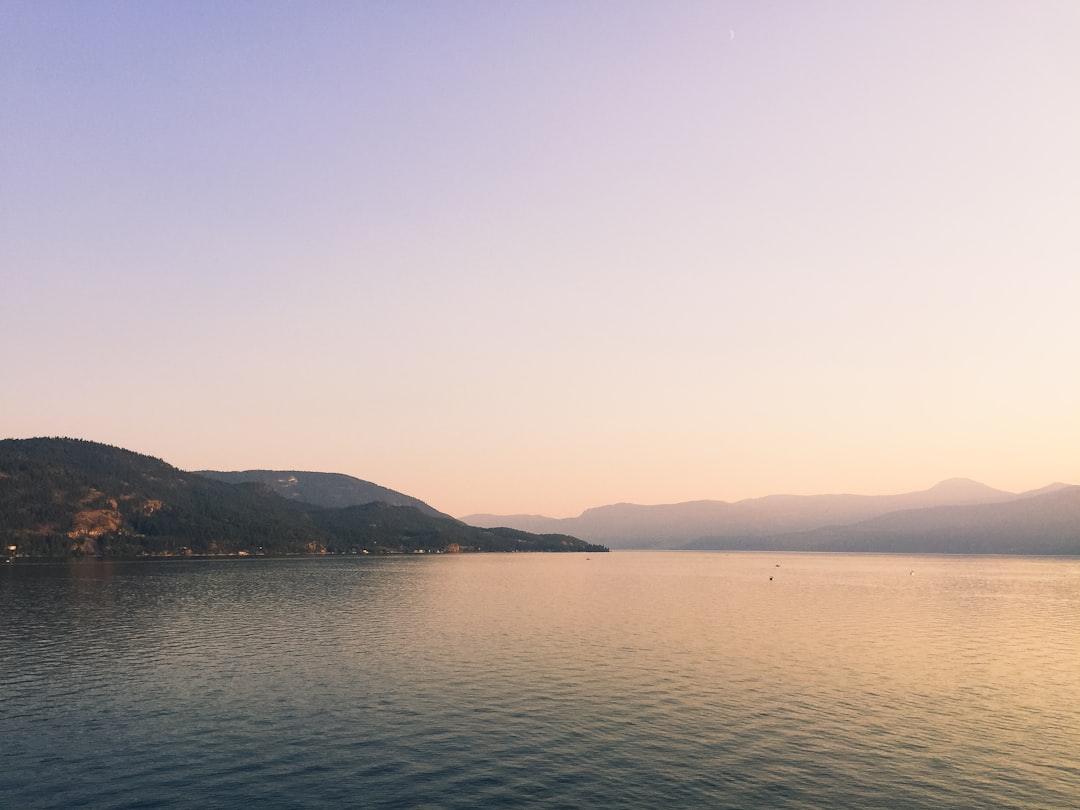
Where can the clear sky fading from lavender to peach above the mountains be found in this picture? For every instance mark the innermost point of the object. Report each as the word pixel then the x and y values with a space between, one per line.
pixel 535 258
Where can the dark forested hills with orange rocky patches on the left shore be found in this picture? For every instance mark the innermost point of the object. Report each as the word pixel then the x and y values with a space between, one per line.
pixel 65 497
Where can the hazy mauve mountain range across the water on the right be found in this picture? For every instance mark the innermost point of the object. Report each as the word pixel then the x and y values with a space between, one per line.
pixel 955 517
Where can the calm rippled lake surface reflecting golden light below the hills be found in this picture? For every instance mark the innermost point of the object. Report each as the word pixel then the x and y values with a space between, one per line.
pixel 625 680
